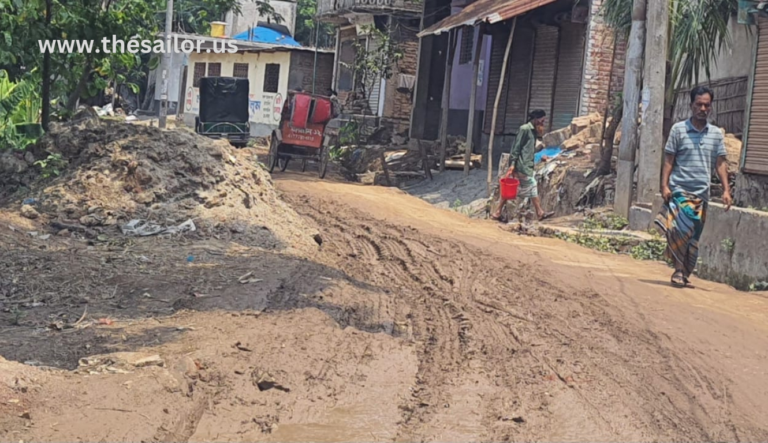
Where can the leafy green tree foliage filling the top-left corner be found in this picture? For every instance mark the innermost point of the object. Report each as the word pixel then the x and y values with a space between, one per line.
pixel 66 78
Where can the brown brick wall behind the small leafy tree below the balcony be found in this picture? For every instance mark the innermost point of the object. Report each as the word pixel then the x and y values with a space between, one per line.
pixel 397 104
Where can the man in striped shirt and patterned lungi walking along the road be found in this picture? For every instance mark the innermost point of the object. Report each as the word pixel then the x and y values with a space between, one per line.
pixel 694 151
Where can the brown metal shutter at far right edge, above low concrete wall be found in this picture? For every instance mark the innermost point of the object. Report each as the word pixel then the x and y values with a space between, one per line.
pixel 756 155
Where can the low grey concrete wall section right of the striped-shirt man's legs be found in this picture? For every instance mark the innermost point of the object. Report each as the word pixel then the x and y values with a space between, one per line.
pixel 734 247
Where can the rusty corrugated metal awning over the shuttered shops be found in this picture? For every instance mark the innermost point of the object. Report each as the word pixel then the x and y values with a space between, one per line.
pixel 488 11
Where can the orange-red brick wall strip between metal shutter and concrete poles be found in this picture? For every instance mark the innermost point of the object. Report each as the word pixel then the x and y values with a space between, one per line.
pixel 597 64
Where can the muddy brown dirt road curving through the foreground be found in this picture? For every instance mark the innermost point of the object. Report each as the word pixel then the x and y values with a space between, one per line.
pixel 409 323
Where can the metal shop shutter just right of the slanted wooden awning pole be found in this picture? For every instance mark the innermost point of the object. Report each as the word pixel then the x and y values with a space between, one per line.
pixel 519 80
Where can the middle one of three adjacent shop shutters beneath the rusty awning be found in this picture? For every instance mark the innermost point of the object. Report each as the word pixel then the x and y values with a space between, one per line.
pixel 544 68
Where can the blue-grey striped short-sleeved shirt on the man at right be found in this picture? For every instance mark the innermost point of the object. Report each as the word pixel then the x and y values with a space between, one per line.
pixel 696 154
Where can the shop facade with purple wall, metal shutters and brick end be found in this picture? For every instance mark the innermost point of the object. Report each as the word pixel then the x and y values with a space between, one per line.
pixel 563 60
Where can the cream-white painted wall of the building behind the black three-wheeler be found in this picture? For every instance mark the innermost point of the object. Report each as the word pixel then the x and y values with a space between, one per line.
pixel 265 108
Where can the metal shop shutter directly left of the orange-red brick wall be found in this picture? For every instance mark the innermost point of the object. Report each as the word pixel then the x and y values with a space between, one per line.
pixel 569 74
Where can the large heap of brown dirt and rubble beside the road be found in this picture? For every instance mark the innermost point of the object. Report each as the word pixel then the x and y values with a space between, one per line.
pixel 118 176
